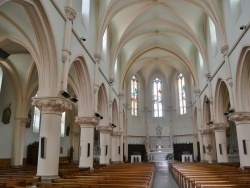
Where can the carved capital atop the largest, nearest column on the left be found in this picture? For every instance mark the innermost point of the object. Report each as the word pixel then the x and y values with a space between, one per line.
pixel 51 104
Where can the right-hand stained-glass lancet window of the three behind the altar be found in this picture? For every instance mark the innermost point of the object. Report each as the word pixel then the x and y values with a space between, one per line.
pixel 182 94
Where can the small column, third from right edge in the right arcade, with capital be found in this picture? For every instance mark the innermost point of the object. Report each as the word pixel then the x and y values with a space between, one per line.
pixel 207 141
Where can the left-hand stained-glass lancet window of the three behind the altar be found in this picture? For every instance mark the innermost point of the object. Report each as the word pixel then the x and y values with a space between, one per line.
pixel 134 95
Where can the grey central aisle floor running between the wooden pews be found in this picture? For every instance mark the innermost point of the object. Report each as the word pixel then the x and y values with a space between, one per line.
pixel 163 178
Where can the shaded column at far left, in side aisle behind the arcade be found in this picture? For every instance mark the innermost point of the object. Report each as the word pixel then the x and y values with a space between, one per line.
pixel 18 141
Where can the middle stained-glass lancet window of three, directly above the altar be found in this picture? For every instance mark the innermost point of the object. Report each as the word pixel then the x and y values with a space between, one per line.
pixel 157 97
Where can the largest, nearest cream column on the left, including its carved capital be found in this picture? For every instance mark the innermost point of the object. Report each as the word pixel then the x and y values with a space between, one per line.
pixel 51 109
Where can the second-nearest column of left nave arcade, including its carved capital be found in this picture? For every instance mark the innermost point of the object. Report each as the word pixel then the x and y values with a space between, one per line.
pixel 87 125
